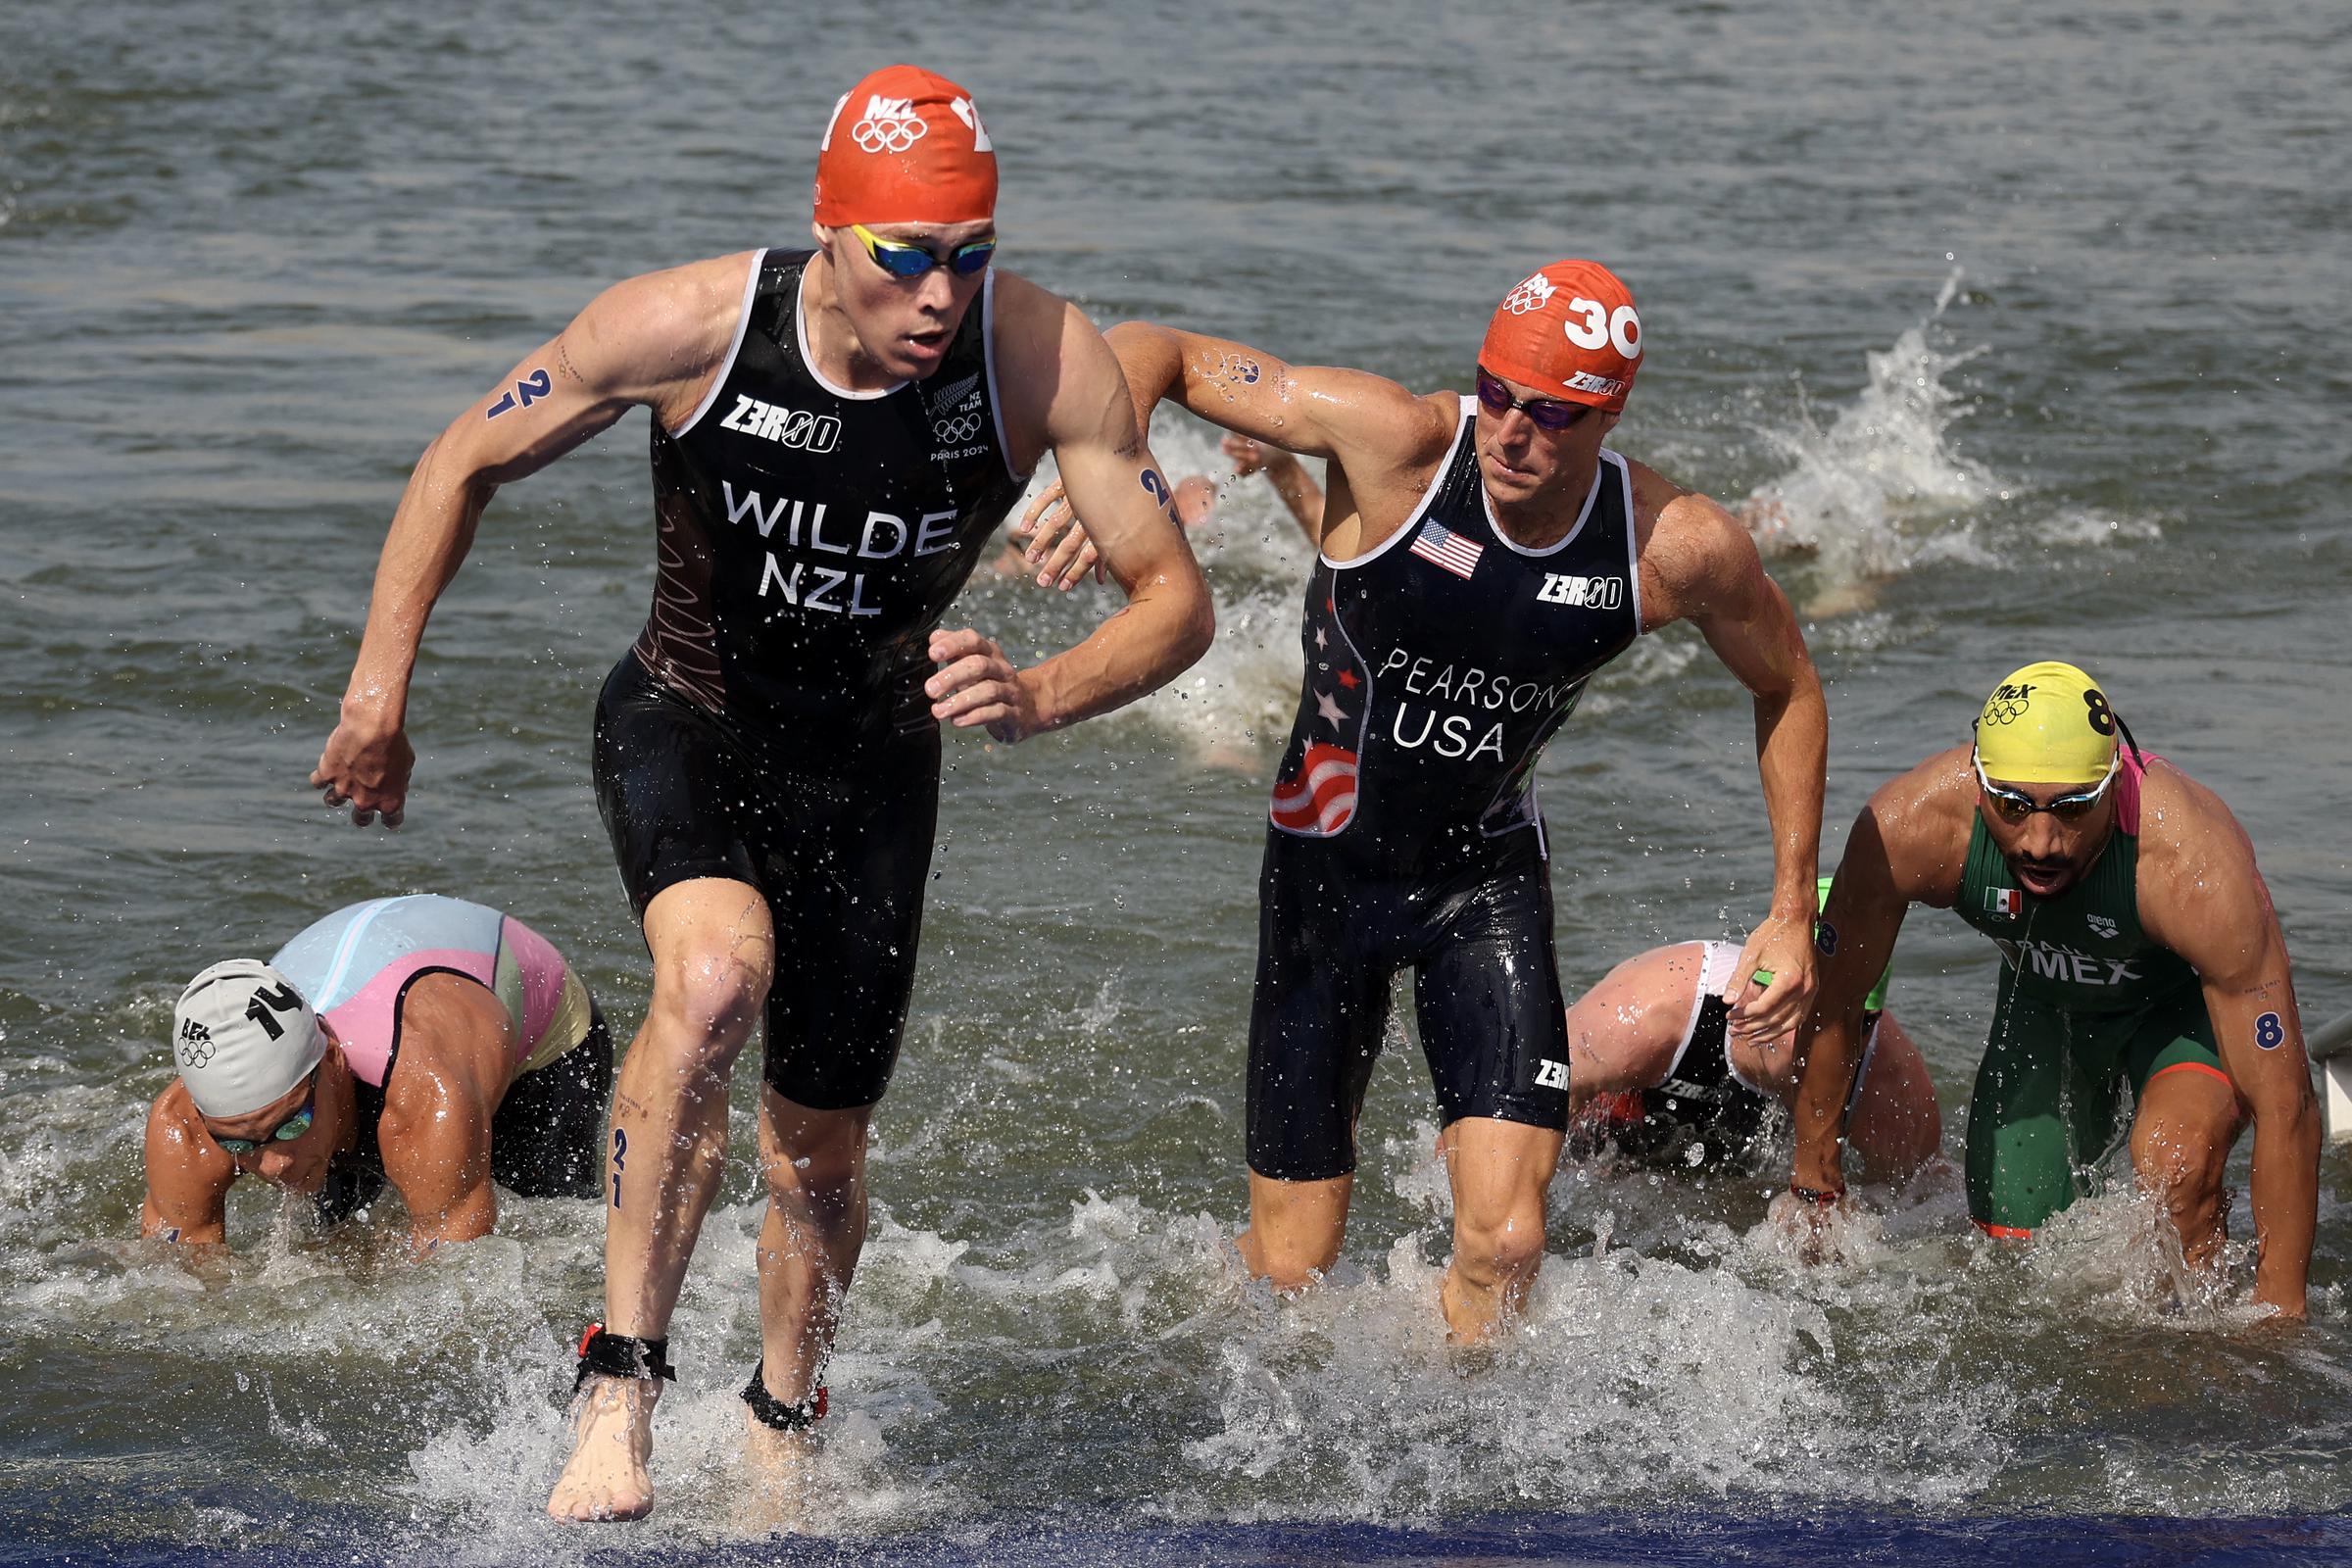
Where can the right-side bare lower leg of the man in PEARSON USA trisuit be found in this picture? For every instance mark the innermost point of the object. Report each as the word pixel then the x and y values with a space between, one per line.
pixel 1499 1172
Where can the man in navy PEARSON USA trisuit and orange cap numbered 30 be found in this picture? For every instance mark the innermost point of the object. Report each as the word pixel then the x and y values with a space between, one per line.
pixel 1481 561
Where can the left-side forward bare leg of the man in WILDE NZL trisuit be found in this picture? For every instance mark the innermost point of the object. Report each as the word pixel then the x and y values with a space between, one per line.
pixel 714 956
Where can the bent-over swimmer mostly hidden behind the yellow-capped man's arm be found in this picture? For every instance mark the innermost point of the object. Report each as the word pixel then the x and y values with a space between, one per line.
pixel 1657 1073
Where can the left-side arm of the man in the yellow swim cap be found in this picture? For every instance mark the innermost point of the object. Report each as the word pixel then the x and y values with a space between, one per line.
pixel 1906 847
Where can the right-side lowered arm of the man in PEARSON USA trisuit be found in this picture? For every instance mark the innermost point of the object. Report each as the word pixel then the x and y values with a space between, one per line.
pixel 1699 565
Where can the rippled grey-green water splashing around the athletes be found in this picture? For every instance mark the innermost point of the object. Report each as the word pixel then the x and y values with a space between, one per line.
pixel 2026 319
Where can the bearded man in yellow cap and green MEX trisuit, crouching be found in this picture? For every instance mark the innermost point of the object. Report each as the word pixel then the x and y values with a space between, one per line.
pixel 2139 951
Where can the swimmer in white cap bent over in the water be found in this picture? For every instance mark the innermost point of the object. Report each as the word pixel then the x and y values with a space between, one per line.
pixel 425 1043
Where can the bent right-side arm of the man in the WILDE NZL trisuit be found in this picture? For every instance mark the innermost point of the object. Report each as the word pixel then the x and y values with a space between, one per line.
pixel 1064 387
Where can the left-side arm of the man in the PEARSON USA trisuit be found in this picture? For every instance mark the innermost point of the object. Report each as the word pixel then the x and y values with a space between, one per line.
pixel 1382 438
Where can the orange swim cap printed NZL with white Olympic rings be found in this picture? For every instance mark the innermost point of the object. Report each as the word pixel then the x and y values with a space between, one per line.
pixel 907 147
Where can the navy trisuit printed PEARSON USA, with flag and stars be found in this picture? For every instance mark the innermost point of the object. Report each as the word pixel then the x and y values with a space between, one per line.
pixel 1405 826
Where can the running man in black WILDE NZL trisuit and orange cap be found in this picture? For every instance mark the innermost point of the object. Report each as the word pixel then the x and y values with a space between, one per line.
pixel 836 436
